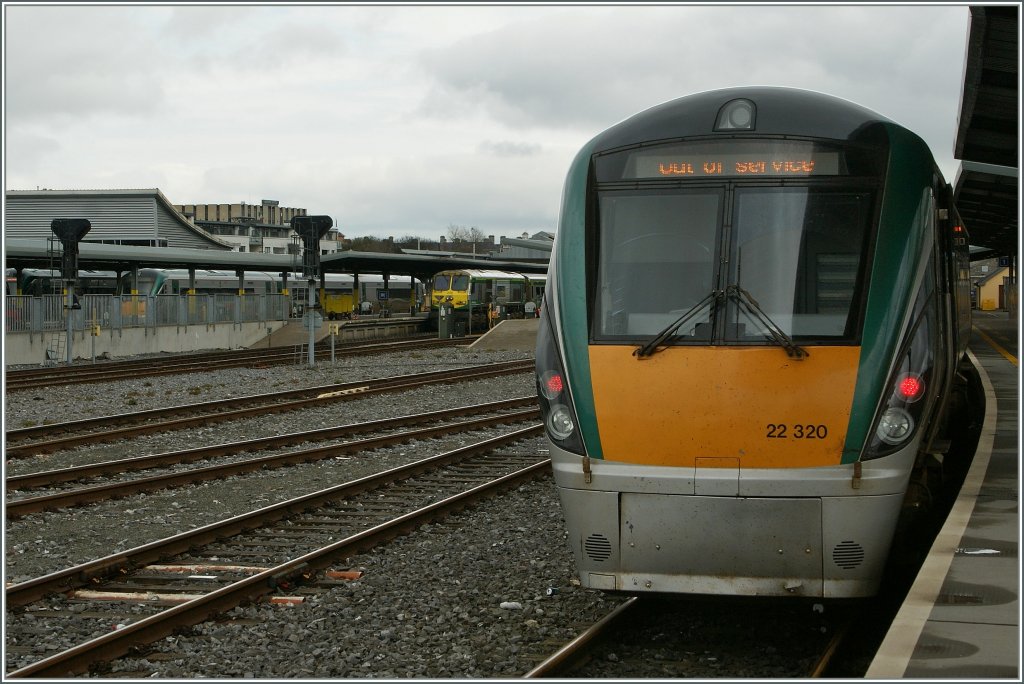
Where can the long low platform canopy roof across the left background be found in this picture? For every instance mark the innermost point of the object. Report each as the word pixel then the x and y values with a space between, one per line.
pixel 38 253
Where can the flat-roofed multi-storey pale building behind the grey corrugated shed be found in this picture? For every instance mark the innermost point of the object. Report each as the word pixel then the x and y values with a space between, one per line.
pixel 265 228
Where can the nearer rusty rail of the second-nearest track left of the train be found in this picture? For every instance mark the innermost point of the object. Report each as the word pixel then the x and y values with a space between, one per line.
pixel 92 495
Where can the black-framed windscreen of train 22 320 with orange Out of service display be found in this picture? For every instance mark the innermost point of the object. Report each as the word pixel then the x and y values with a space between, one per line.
pixel 704 248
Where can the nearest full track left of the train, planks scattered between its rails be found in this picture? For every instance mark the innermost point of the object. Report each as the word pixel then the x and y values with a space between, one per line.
pixel 282 551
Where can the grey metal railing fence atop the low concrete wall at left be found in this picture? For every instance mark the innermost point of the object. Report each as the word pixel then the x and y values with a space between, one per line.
pixel 23 314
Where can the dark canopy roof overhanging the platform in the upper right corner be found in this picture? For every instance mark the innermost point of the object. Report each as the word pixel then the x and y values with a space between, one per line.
pixel 988 188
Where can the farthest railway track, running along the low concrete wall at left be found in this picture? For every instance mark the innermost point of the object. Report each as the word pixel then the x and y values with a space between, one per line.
pixel 114 371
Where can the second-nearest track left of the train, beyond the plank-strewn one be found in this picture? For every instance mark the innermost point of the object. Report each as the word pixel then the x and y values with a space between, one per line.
pixel 18 505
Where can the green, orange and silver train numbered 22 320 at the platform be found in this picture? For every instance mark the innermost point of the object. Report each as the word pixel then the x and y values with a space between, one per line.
pixel 753 345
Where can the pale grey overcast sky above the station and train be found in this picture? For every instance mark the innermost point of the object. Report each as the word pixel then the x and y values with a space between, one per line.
pixel 403 120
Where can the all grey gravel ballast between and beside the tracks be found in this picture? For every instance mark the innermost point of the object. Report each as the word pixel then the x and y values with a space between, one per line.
pixel 430 605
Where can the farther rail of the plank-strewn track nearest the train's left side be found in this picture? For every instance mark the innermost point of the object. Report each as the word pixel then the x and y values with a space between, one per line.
pixel 79 576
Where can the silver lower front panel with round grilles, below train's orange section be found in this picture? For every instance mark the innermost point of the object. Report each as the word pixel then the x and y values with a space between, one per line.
pixel 832 547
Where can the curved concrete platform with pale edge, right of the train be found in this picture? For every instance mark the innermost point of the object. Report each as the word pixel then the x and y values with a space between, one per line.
pixel 962 617
